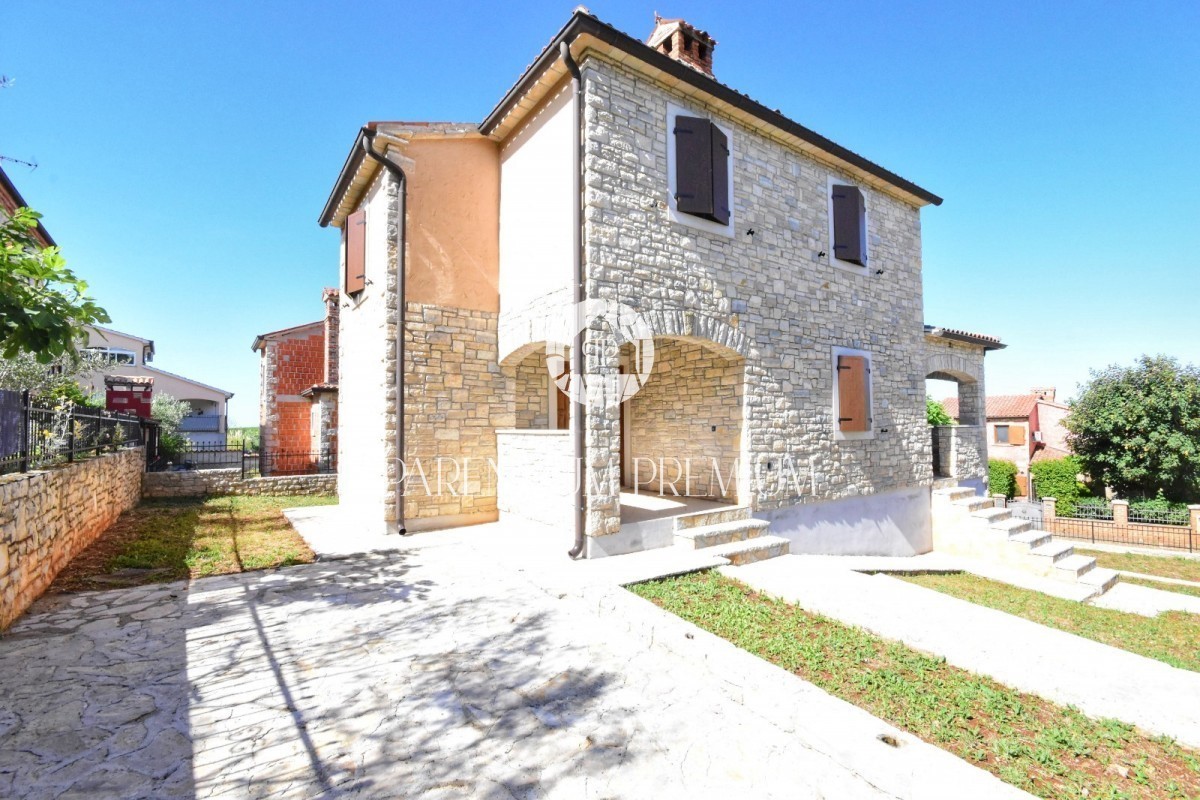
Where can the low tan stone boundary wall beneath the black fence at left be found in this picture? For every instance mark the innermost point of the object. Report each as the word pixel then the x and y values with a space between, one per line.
pixel 47 518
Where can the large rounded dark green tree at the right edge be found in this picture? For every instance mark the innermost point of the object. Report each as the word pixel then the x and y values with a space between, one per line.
pixel 1138 429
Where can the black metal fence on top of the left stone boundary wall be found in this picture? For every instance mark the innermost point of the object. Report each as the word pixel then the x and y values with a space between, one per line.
pixel 34 437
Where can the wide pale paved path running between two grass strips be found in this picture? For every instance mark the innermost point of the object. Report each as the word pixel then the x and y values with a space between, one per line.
pixel 1101 681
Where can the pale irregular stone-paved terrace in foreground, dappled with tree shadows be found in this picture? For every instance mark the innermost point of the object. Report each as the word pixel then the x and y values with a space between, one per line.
pixel 423 673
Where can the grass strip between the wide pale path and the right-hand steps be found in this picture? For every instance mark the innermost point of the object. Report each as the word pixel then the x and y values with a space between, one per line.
pixel 1173 637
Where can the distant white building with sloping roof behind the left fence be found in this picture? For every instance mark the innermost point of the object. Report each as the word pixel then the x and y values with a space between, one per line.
pixel 130 356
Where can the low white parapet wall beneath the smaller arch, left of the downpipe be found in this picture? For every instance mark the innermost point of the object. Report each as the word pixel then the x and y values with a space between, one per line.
pixel 537 479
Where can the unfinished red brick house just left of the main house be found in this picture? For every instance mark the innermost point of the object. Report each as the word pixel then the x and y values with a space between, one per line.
pixel 298 393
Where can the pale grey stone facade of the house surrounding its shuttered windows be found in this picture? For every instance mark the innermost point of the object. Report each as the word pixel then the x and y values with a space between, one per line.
pixel 775 290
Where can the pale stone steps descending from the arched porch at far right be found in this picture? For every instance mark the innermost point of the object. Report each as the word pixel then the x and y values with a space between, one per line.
pixel 968 525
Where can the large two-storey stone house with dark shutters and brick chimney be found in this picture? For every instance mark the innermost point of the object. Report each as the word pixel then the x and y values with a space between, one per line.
pixel 776 273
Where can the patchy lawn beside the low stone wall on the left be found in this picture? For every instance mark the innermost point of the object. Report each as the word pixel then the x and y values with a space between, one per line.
pixel 191 538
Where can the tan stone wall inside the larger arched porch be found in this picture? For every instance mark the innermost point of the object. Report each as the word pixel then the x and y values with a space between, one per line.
pixel 686 419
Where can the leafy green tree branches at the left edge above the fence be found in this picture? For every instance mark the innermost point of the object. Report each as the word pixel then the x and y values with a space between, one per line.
pixel 44 305
